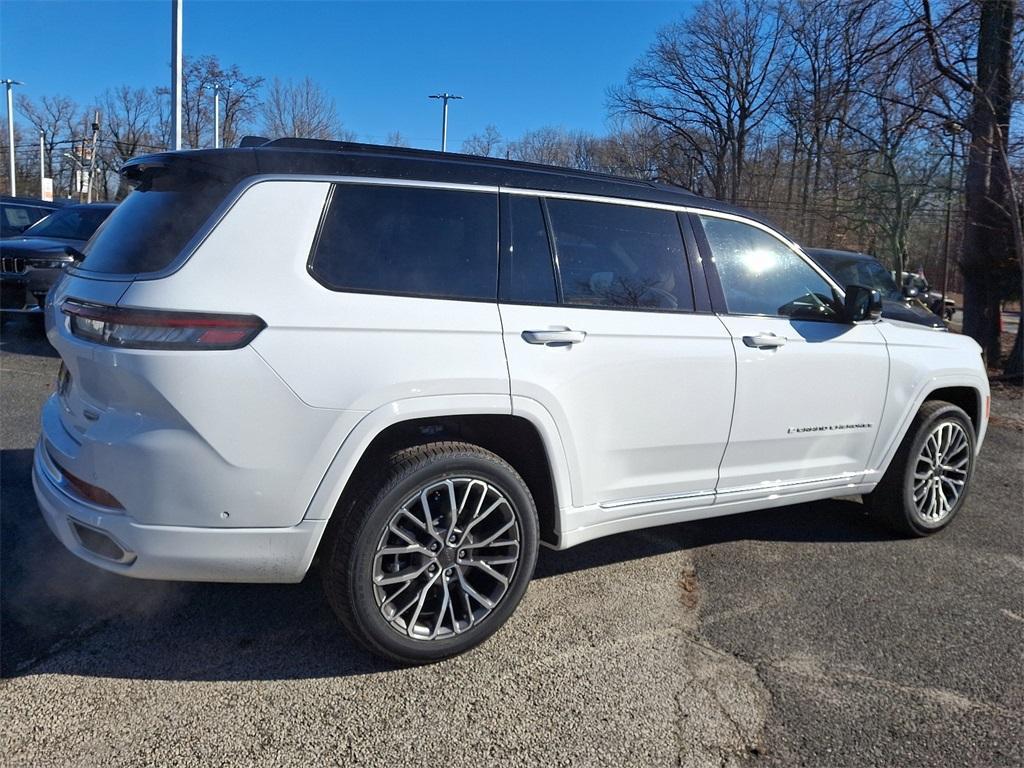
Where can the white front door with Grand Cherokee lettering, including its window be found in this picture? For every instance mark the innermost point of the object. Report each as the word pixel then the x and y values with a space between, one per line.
pixel 810 388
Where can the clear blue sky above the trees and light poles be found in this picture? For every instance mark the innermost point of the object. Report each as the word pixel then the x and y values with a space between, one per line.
pixel 519 65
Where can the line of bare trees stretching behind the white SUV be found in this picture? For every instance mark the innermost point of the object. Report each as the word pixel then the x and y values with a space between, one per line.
pixel 854 124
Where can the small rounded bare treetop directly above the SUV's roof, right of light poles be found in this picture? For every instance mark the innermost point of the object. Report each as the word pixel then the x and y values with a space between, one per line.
pixel 302 110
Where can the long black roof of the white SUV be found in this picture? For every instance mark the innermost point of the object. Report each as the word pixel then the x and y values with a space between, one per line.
pixel 314 157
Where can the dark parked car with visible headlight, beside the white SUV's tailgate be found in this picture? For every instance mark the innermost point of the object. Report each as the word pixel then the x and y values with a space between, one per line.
pixel 32 262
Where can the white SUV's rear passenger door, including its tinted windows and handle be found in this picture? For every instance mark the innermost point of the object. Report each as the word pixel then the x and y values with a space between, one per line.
pixel 612 345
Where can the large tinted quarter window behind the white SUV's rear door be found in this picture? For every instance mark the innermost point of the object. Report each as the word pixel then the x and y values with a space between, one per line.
pixel 409 240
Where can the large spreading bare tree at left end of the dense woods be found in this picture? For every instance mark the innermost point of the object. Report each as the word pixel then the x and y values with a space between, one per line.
pixel 711 80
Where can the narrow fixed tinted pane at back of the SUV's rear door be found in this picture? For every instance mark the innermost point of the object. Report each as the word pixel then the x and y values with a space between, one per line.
pixel 528 273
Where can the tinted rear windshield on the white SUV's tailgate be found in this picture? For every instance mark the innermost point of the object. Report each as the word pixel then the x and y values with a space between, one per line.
pixel 154 224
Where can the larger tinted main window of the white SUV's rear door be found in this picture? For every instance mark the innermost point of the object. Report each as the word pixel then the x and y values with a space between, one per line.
pixel 620 257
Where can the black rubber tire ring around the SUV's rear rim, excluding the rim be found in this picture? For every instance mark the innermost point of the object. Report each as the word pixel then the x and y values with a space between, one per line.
pixel 361 564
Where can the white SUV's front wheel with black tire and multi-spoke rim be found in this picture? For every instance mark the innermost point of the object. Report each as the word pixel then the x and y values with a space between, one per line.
pixel 905 500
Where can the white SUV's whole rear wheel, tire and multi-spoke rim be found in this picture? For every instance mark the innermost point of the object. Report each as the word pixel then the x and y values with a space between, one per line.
pixel 383 550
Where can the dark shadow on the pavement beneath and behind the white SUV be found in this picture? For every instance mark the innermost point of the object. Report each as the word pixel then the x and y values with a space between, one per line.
pixel 62 616
